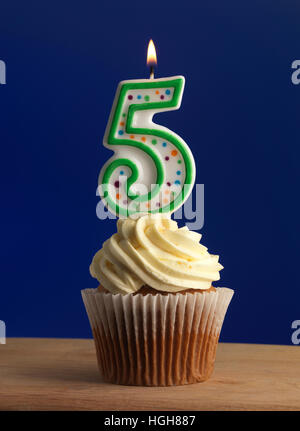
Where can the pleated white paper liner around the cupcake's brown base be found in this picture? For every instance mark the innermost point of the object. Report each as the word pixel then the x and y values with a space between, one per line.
pixel 156 340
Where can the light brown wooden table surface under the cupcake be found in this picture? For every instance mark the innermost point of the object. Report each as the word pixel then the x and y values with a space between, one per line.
pixel 62 374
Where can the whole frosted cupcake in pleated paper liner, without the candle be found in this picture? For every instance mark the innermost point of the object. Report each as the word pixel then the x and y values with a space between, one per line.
pixel 155 317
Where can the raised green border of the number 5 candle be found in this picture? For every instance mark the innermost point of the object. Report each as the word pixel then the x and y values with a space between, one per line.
pixel 178 85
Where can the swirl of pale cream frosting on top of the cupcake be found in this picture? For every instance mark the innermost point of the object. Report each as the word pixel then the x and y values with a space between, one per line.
pixel 151 250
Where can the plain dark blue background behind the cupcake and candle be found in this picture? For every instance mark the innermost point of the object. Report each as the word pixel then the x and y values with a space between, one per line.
pixel 240 116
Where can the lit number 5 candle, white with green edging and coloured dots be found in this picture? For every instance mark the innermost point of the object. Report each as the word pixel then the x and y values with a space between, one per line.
pixel 152 169
